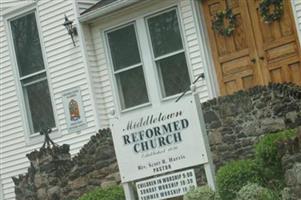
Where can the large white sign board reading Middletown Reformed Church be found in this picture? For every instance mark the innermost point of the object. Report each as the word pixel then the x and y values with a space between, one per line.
pixel 159 140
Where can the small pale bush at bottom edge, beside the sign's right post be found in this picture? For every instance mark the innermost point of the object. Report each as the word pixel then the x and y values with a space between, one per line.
pixel 201 193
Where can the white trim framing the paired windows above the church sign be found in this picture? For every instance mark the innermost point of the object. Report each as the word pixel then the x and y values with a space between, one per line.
pixel 155 94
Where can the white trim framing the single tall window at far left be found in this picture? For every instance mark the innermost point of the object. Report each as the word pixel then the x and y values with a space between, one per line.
pixel 19 12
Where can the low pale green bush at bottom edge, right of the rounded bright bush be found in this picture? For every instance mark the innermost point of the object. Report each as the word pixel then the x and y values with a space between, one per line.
pixel 253 191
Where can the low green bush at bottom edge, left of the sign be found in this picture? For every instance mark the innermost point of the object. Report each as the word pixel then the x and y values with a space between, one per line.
pixel 109 193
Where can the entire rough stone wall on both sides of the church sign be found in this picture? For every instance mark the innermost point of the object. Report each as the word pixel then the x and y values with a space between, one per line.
pixel 234 124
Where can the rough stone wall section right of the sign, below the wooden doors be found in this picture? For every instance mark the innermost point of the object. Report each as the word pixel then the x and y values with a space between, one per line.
pixel 234 123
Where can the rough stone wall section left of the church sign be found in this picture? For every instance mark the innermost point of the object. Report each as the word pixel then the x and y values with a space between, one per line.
pixel 53 175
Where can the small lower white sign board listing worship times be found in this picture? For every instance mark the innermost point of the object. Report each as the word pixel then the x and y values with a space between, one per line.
pixel 167 186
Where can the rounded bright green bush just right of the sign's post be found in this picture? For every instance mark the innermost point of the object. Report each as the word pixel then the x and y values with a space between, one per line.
pixel 234 175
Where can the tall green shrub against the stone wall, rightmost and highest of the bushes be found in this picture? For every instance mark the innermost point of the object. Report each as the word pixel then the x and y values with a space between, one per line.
pixel 268 158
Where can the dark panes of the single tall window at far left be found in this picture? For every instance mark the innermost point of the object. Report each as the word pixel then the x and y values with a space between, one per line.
pixel 32 73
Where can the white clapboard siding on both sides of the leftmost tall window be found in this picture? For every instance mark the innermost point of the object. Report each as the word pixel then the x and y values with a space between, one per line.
pixel 66 69
